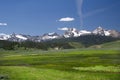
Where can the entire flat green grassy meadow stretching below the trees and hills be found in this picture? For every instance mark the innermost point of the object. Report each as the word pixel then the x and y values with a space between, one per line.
pixel 74 64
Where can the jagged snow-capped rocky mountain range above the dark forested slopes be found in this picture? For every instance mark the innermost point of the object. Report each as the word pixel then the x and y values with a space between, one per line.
pixel 69 32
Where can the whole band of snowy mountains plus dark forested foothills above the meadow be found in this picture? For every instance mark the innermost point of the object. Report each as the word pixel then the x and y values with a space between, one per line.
pixel 72 38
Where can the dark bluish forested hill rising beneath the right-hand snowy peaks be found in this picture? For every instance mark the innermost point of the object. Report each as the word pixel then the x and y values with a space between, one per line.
pixel 82 41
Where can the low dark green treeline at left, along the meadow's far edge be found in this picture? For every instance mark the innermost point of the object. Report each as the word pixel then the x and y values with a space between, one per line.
pixel 8 45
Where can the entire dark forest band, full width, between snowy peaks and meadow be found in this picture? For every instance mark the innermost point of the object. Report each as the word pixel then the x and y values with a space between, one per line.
pixel 64 43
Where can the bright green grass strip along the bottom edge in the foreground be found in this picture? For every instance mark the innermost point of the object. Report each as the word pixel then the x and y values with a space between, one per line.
pixel 30 73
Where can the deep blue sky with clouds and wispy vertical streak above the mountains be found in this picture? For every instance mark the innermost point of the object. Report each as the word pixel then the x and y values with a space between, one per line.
pixel 36 17
